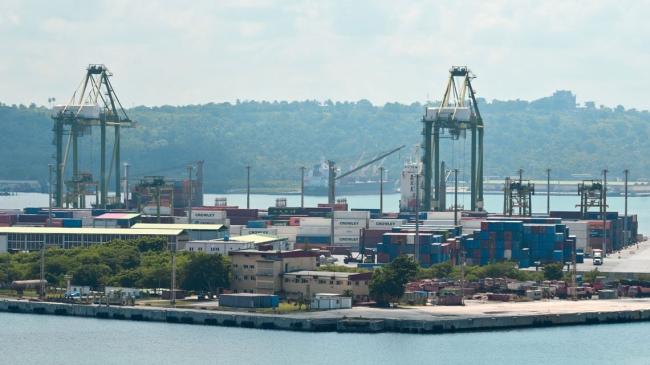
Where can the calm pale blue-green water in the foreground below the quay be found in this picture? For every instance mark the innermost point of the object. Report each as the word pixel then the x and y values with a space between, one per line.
pixel 34 339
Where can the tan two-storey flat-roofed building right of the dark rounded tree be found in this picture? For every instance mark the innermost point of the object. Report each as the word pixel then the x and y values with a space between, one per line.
pixel 255 271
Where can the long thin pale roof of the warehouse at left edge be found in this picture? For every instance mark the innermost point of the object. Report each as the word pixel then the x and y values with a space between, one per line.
pixel 67 230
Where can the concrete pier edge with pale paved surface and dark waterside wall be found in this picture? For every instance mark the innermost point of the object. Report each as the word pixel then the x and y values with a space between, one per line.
pixel 362 320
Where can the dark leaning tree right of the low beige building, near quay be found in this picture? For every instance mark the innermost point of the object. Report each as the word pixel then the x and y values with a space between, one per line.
pixel 387 284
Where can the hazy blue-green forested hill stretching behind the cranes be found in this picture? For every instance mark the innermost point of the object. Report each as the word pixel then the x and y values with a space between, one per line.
pixel 276 138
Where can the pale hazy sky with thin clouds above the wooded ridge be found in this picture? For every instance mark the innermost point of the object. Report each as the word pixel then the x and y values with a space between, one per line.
pixel 213 51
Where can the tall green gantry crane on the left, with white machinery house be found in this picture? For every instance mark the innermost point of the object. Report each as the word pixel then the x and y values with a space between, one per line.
pixel 94 103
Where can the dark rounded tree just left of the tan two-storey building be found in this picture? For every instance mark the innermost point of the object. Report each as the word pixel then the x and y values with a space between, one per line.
pixel 205 272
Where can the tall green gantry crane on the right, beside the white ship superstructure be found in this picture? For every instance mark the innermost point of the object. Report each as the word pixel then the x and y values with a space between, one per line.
pixel 457 113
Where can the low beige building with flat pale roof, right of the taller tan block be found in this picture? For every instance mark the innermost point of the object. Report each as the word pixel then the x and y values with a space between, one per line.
pixel 305 284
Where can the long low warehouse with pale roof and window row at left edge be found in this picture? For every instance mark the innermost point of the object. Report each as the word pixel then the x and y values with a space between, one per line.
pixel 15 239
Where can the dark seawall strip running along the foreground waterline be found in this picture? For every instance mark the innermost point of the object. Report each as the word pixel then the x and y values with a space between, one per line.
pixel 324 321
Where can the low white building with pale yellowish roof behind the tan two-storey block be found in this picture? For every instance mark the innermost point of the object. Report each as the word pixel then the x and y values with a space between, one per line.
pixel 226 246
